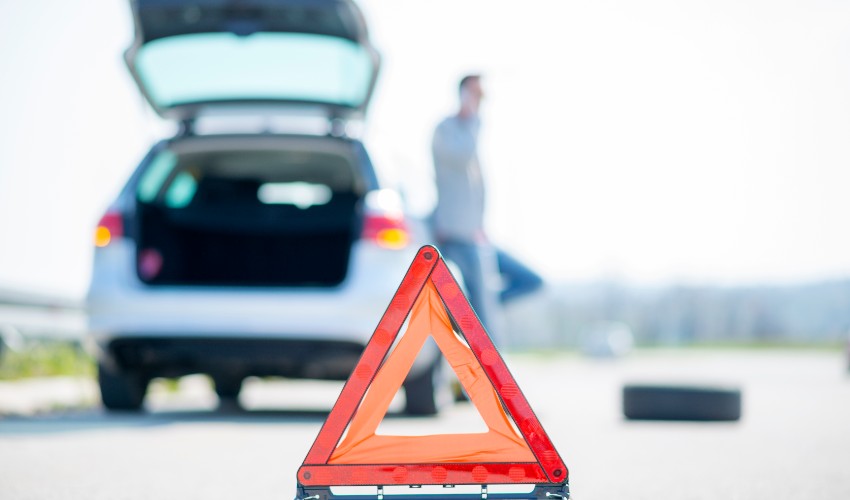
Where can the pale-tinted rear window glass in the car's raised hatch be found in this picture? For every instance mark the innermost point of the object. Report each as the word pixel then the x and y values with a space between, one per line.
pixel 212 67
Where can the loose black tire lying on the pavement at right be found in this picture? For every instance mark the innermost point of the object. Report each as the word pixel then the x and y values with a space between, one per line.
pixel 651 402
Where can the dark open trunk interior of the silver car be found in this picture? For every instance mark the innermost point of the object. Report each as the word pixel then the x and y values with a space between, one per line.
pixel 218 229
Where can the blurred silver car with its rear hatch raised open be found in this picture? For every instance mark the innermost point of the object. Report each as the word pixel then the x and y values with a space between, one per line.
pixel 260 240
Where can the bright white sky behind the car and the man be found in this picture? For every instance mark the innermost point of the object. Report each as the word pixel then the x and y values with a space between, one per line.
pixel 653 141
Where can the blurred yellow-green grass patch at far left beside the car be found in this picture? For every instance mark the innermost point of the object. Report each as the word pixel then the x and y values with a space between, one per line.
pixel 46 358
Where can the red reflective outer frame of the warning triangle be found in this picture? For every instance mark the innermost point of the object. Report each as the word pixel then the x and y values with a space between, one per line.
pixel 547 469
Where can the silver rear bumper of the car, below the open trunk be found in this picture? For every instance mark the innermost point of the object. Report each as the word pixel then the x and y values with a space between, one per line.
pixel 170 331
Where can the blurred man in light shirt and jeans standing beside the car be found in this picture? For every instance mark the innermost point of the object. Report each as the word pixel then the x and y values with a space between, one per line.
pixel 459 215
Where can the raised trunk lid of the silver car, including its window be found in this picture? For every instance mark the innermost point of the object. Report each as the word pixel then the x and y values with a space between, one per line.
pixel 190 56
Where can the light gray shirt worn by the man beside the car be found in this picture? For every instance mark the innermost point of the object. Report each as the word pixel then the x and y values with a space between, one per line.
pixel 459 214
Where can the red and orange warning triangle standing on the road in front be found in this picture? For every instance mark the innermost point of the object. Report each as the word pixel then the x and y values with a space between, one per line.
pixel 348 452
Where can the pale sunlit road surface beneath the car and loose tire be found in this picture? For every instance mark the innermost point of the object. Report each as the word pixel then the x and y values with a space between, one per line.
pixel 792 442
